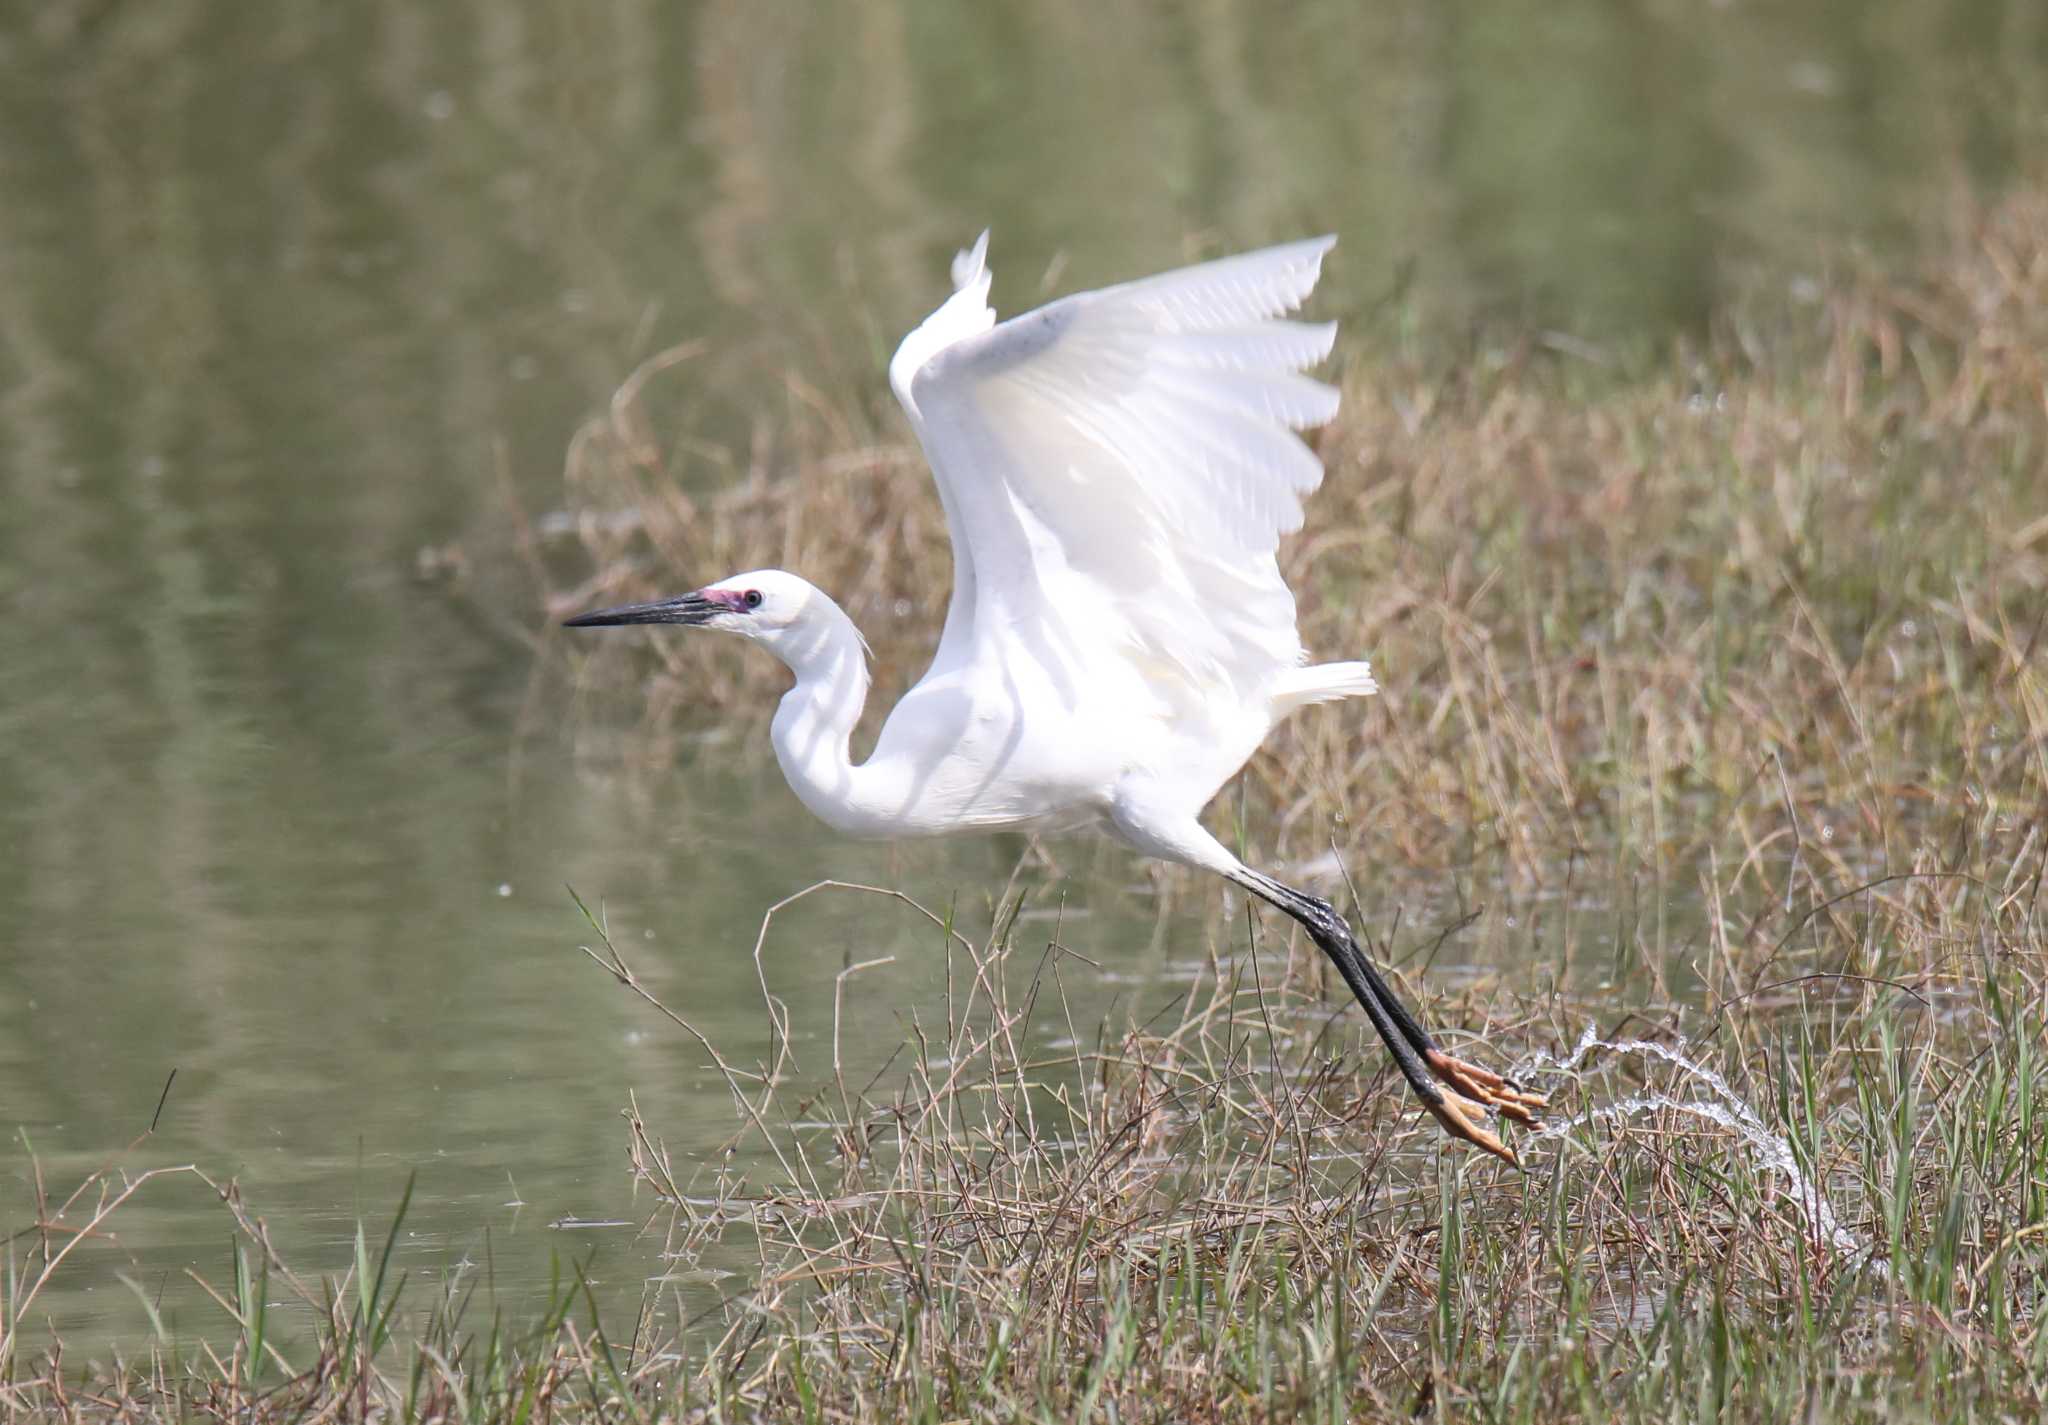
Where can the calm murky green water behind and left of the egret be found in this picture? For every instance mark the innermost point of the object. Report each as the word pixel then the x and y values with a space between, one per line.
pixel 294 292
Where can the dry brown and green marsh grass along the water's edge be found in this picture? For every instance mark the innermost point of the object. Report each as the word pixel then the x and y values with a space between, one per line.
pixel 1752 628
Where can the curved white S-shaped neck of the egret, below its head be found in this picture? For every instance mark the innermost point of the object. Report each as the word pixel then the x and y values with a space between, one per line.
pixel 814 726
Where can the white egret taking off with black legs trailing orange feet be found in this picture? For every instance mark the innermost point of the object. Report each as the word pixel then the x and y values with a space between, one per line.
pixel 1117 472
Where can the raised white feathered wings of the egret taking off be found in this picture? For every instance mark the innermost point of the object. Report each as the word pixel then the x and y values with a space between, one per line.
pixel 1119 466
